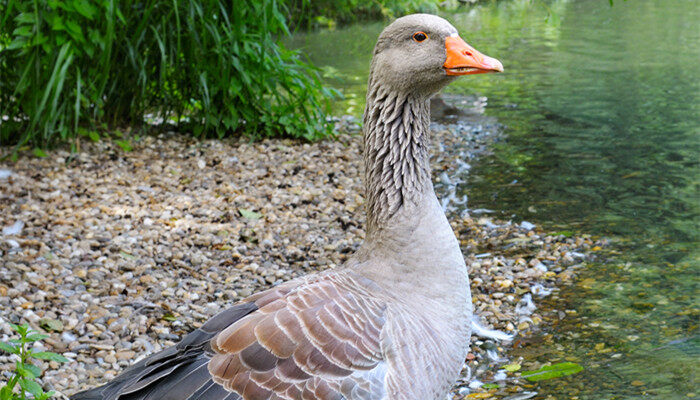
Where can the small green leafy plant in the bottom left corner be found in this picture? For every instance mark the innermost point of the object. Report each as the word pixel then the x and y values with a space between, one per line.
pixel 26 373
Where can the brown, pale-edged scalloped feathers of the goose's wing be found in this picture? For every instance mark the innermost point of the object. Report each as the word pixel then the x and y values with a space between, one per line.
pixel 313 341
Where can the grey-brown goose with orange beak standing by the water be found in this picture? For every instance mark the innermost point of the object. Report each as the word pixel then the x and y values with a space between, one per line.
pixel 394 321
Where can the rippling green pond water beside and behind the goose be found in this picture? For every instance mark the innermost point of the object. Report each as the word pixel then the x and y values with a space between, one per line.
pixel 602 108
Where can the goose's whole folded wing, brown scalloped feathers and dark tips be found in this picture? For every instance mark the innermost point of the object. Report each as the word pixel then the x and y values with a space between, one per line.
pixel 314 338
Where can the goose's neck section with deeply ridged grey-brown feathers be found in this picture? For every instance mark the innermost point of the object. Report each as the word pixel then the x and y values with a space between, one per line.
pixel 396 153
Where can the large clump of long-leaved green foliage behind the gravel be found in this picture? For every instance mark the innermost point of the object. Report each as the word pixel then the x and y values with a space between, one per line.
pixel 212 67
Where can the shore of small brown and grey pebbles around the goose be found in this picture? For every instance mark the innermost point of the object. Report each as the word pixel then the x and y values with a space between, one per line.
pixel 119 254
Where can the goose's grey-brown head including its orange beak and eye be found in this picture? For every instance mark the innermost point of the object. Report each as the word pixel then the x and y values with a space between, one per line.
pixel 421 53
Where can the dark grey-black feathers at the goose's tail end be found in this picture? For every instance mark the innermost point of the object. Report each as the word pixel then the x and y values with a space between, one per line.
pixel 176 373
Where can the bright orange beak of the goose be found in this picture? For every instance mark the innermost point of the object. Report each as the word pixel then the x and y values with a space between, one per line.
pixel 462 59
